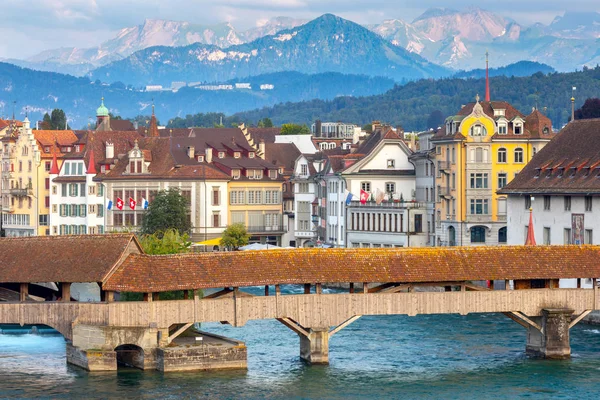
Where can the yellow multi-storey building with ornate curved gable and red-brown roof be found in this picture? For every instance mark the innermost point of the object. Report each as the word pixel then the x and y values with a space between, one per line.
pixel 478 152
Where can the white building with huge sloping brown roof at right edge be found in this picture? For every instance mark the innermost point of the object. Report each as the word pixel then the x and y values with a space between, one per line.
pixel 561 186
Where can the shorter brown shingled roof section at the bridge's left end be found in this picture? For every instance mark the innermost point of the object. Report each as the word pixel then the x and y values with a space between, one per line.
pixel 84 258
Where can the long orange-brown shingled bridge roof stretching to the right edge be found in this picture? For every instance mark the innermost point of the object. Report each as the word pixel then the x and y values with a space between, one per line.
pixel 144 273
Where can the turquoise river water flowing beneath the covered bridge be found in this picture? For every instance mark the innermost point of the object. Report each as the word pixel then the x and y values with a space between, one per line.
pixel 450 356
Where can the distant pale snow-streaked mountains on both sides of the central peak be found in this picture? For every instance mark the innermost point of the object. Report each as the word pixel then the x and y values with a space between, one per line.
pixel 455 39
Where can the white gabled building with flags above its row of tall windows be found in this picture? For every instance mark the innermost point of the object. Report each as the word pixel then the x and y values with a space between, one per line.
pixel 391 217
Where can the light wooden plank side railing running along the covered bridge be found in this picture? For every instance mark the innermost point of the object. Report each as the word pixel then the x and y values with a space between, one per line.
pixel 309 310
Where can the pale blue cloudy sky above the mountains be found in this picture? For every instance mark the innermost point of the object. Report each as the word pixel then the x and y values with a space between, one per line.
pixel 31 26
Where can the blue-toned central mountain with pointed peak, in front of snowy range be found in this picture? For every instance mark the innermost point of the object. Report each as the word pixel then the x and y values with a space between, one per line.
pixel 326 44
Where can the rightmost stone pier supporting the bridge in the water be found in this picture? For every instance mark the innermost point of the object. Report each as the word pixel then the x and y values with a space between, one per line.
pixel 552 340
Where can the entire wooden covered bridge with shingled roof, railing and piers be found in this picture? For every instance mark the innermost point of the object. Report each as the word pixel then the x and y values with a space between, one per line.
pixel 379 282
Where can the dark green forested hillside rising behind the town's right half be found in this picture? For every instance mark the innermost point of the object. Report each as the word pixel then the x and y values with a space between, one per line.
pixel 410 105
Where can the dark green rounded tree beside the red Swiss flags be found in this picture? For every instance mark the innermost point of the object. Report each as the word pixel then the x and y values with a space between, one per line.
pixel 168 210
